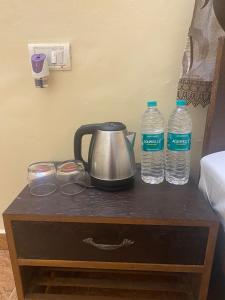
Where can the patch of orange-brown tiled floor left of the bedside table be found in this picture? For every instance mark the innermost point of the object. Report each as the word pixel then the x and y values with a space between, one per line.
pixel 7 286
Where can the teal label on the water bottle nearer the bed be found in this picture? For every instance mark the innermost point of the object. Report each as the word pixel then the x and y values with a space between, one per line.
pixel 179 142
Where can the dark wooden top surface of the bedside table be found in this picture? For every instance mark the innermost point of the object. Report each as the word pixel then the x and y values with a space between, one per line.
pixel 163 202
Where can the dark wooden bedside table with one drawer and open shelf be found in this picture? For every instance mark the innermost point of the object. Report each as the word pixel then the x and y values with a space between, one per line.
pixel 150 242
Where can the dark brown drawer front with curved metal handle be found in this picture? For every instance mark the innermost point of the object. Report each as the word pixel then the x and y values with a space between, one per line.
pixel 158 244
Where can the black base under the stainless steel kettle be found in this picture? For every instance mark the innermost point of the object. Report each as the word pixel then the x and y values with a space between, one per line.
pixel 114 185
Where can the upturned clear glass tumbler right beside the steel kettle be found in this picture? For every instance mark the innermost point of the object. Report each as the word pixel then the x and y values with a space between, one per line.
pixel 70 176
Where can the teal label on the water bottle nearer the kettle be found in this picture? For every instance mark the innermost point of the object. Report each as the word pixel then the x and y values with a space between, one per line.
pixel 152 142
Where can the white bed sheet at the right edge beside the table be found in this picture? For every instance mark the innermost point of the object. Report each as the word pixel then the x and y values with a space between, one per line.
pixel 212 182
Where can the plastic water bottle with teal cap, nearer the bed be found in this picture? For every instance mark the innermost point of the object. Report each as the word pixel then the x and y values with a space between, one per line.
pixel 179 145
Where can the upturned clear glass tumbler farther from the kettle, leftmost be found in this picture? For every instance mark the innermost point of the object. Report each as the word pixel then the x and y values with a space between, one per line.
pixel 42 178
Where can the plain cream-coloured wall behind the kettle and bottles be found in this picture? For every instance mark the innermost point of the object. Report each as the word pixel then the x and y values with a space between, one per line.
pixel 124 52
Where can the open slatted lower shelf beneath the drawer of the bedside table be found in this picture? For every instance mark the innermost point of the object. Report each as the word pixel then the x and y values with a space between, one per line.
pixel 66 283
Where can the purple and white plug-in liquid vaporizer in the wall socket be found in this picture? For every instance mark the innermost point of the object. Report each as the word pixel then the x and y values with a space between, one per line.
pixel 40 70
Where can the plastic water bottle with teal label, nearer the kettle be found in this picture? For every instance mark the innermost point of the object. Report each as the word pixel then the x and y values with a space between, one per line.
pixel 152 155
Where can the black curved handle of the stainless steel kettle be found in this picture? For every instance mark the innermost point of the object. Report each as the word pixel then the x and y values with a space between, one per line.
pixel 83 130
